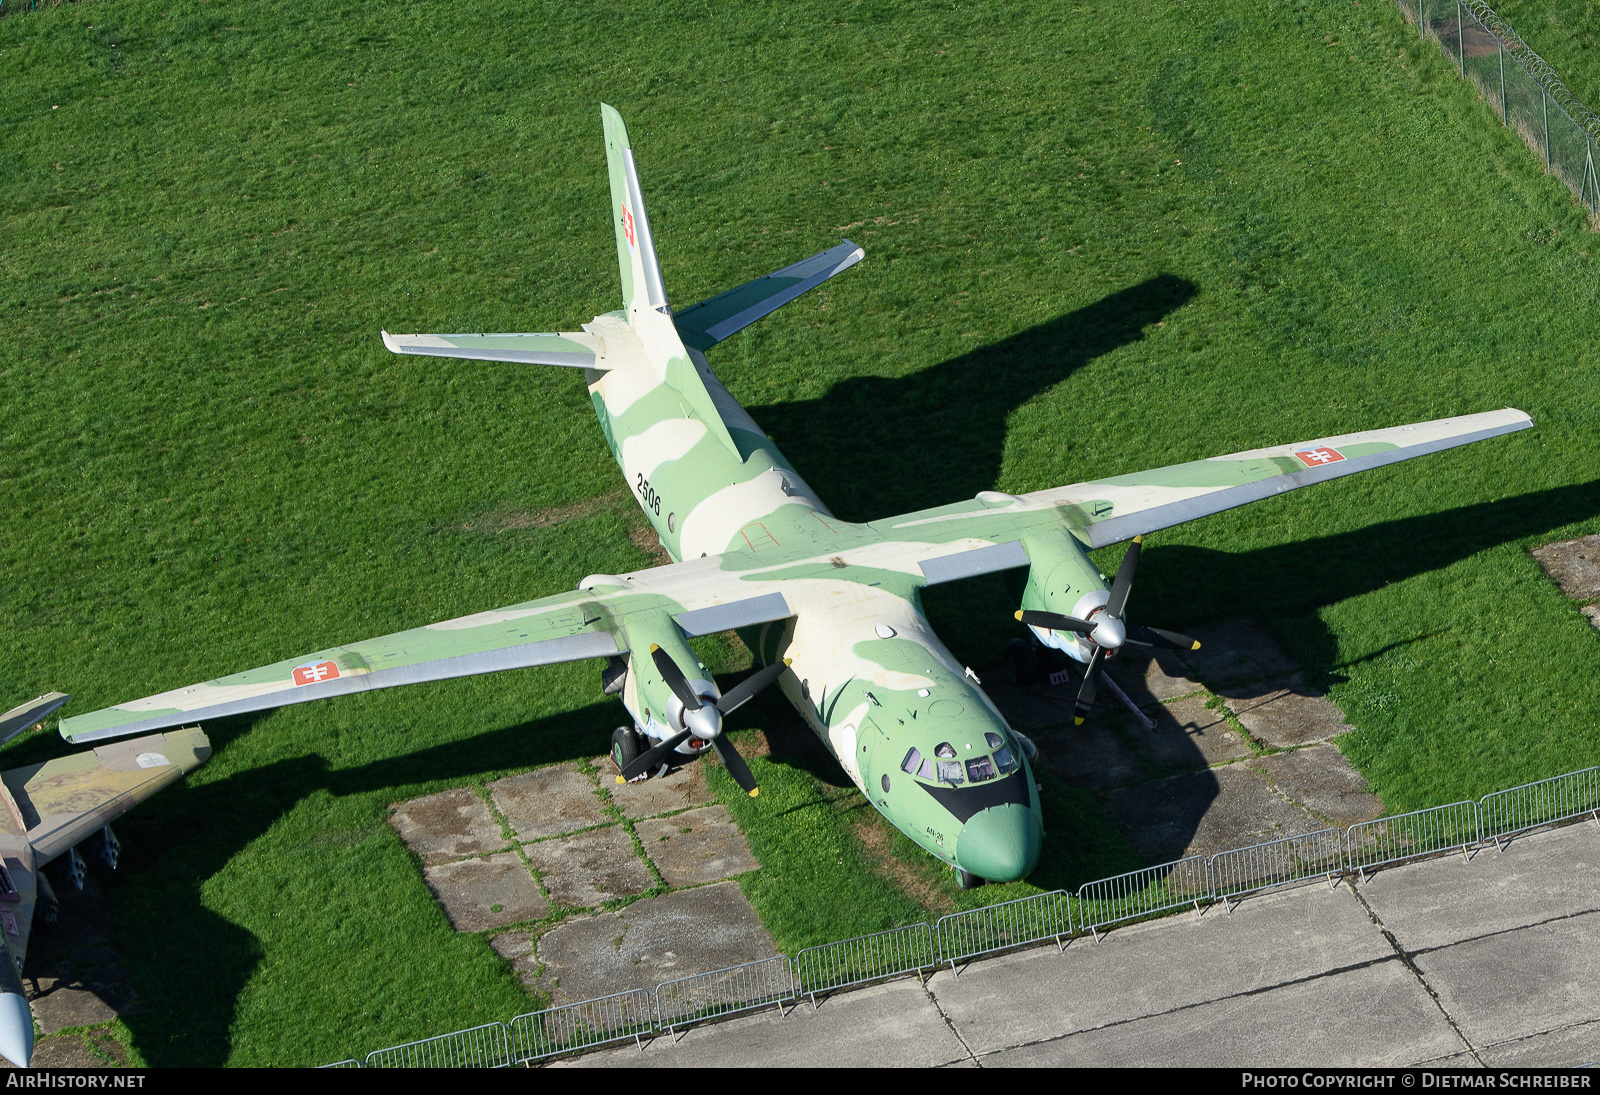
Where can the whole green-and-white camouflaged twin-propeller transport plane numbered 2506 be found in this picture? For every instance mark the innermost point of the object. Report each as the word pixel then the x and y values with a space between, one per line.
pixel 830 608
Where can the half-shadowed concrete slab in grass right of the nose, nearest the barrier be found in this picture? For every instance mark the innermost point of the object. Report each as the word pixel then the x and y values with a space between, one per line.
pixel 1204 812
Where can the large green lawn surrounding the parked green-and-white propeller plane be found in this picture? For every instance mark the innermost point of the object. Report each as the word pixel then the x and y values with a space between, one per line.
pixel 1100 238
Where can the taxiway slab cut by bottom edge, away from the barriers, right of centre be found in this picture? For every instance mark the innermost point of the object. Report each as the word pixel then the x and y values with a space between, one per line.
pixel 1372 1017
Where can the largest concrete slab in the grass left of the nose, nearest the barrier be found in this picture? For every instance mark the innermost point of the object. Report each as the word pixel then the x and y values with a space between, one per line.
pixel 650 942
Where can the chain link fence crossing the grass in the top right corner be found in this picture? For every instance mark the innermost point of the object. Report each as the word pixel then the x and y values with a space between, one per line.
pixel 1522 87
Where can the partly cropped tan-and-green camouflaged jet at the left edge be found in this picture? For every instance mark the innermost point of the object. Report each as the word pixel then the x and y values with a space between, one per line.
pixel 49 811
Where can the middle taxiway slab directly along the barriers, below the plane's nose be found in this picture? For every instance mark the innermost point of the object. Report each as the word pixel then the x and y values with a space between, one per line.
pixel 1158 968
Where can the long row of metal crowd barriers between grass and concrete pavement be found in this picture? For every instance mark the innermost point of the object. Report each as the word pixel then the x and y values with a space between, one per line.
pixel 959 937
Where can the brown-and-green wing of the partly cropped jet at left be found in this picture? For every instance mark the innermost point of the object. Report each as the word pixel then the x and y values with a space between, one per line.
pixel 68 800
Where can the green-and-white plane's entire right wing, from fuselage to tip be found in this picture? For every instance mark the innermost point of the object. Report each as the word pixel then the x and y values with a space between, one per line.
pixel 993 532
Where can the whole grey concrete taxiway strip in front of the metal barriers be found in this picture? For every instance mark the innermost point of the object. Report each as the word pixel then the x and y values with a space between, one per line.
pixel 1484 961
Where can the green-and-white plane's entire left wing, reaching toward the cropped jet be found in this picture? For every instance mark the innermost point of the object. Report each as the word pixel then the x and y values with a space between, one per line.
pixel 572 627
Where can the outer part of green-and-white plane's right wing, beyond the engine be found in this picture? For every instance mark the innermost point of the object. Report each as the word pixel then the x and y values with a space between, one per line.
pixel 1148 502
